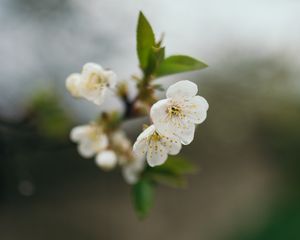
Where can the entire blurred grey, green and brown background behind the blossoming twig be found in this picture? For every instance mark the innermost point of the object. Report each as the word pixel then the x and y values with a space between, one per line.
pixel 247 149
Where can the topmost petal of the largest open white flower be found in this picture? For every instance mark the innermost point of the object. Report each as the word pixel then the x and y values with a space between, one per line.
pixel 182 89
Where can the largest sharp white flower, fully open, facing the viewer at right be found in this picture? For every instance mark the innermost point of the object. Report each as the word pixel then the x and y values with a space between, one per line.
pixel 178 114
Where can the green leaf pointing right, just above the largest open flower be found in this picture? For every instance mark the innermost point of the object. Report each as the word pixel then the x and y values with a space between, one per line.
pixel 178 64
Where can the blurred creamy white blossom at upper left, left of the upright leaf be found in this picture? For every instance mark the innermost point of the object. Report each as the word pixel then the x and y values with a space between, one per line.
pixel 92 83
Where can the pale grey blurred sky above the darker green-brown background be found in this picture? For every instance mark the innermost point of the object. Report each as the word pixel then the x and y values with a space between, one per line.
pixel 41 42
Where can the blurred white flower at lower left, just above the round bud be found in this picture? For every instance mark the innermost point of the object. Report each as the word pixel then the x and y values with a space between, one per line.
pixel 90 138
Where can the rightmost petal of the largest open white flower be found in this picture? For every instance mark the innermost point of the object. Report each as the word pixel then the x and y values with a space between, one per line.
pixel 196 109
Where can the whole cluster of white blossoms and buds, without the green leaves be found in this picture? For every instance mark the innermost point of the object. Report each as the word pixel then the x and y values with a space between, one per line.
pixel 173 124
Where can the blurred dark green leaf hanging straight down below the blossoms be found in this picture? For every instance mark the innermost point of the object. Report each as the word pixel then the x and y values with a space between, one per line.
pixel 143 197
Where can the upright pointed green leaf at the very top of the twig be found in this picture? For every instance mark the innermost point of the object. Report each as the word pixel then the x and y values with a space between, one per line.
pixel 145 40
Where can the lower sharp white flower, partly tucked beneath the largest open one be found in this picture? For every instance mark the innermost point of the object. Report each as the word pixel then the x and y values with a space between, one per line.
pixel 156 146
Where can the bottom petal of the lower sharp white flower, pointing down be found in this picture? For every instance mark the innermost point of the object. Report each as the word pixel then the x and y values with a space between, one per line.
pixel 156 154
